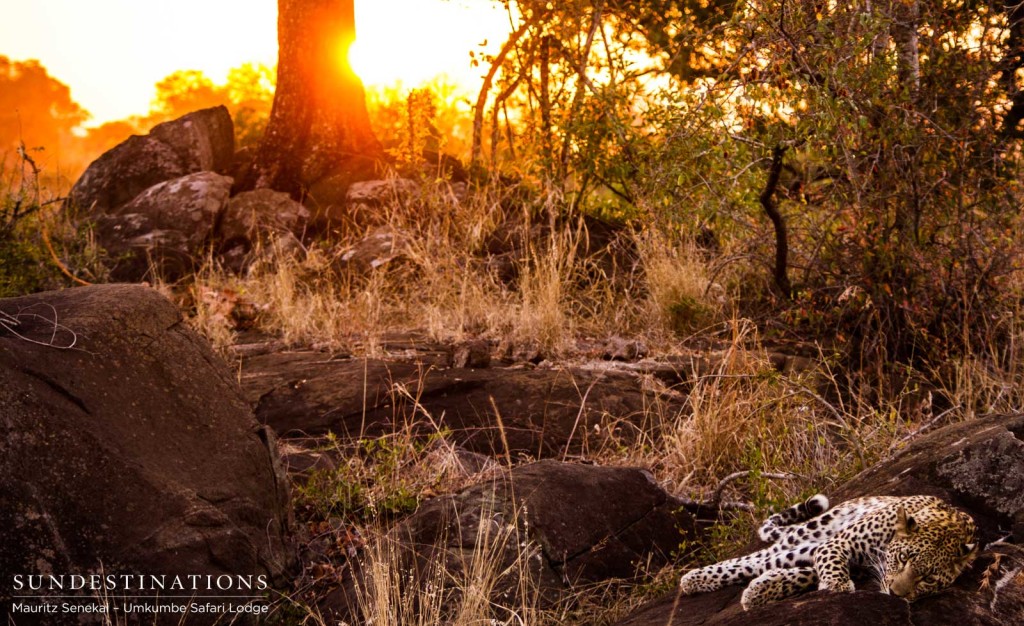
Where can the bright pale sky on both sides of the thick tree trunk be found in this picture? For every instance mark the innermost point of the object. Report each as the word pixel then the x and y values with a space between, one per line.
pixel 112 53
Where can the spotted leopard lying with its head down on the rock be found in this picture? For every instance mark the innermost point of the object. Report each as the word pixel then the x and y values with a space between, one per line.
pixel 915 546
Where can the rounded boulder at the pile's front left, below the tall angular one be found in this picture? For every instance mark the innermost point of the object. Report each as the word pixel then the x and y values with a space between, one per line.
pixel 166 227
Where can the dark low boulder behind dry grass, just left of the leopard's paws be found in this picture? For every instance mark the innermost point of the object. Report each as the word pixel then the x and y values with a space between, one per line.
pixel 540 529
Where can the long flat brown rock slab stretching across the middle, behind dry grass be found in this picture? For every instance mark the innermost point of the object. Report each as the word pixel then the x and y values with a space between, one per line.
pixel 537 412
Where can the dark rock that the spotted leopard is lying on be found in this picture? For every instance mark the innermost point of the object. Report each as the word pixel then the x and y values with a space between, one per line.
pixel 977 466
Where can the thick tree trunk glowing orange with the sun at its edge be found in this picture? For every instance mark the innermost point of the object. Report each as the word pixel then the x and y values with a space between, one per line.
pixel 319 126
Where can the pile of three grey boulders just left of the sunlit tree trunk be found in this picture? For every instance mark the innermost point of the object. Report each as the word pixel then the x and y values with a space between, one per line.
pixel 160 202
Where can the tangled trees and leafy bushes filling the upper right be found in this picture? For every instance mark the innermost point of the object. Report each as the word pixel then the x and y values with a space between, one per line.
pixel 900 187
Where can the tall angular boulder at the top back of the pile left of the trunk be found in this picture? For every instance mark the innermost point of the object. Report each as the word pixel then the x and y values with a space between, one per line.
pixel 203 141
